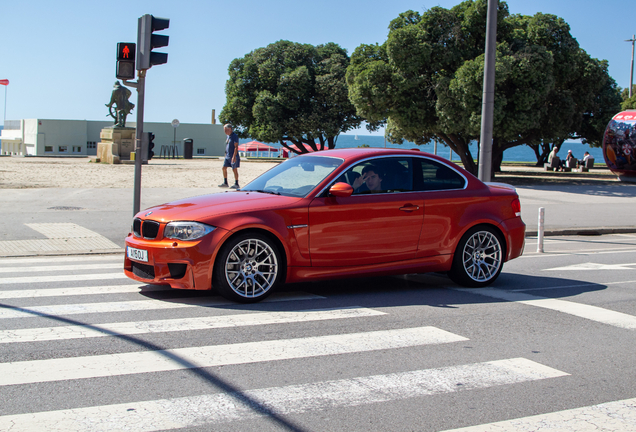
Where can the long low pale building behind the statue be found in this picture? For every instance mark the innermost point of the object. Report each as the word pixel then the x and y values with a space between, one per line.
pixel 41 137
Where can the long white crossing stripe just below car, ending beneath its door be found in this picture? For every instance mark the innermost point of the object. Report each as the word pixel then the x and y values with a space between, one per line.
pixel 182 324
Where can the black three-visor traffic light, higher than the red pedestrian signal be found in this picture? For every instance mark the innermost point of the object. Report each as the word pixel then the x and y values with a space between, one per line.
pixel 147 41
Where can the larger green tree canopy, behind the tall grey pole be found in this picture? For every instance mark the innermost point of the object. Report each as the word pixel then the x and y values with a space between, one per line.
pixel 426 81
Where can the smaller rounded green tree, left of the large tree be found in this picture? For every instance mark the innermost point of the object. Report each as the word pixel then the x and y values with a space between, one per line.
pixel 291 92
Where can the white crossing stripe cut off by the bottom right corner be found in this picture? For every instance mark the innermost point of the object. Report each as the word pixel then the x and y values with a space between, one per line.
pixel 606 417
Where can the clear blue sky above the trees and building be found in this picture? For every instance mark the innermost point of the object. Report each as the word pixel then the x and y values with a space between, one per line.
pixel 60 55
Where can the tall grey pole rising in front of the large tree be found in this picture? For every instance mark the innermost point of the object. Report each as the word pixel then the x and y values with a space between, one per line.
pixel 488 99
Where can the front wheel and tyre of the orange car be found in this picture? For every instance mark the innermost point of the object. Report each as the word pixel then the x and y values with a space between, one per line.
pixel 248 268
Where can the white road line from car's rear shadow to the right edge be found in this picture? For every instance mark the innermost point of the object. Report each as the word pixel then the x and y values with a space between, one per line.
pixel 593 313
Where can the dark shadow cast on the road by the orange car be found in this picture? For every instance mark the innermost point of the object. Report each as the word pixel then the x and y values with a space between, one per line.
pixel 430 289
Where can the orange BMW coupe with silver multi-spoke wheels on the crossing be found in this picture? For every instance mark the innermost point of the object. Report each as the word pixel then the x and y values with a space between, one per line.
pixel 332 214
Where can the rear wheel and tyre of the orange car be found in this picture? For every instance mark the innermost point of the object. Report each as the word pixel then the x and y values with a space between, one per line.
pixel 479 257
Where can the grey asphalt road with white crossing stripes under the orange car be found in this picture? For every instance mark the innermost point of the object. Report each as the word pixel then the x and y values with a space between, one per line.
pixel 556 332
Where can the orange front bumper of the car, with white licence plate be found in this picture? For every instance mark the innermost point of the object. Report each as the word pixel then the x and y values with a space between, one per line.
pixel 180 264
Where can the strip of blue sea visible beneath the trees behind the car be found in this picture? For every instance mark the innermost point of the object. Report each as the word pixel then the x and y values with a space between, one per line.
pixel 516 154
